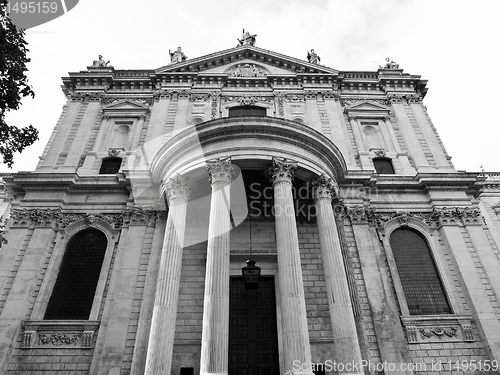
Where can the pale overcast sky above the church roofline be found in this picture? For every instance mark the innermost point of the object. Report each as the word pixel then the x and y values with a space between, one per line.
pixel 455 45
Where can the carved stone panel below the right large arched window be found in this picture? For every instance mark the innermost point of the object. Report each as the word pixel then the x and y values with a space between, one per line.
pixel 438 328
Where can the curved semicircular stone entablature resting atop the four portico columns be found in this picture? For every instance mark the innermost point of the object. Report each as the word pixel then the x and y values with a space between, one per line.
pixel 248 138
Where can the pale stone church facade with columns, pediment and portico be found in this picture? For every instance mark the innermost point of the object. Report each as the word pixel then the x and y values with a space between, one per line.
pixel 191 168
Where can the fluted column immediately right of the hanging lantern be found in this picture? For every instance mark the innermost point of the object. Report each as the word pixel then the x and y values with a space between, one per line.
pixel 296 346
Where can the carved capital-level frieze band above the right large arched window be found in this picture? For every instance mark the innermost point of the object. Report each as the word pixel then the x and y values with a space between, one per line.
pixel 437 217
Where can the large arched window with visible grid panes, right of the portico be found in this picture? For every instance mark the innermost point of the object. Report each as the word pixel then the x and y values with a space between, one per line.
pixel 422 286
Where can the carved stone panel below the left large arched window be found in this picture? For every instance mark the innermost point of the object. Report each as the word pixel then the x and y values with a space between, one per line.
pixel 59 334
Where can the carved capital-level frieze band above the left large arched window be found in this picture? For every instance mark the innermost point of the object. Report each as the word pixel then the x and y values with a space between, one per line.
pixel 47 217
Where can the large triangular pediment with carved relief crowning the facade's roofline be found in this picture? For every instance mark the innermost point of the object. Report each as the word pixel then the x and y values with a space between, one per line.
pixel 224 62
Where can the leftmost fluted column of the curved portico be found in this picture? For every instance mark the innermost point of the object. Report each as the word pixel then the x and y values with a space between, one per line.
pixel 161 338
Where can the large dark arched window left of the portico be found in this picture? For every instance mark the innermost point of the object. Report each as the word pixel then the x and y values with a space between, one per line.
pixel 76 282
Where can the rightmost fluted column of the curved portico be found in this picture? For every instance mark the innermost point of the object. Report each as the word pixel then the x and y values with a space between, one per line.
pixel 341 314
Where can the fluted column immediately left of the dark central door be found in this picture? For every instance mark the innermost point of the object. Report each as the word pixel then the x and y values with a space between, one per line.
pixel 215 335
